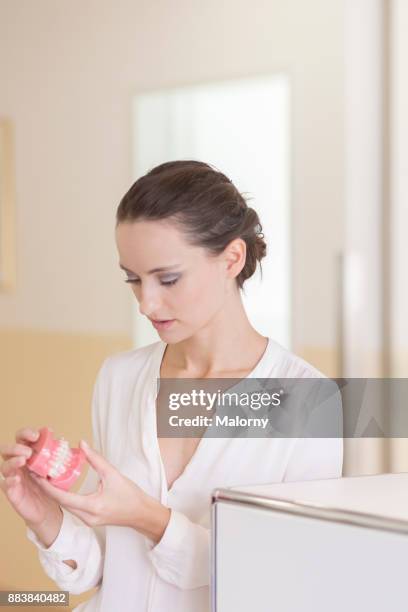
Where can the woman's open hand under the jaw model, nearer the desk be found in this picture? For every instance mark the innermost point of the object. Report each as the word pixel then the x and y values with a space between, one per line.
pixel 118 500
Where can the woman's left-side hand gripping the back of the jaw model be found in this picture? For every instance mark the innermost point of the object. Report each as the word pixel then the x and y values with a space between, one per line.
pixel 20 487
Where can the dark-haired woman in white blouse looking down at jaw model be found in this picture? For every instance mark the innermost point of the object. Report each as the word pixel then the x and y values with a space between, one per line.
pixel 139 528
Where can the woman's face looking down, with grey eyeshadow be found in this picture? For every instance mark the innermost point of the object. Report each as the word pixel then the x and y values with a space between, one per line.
pixel 174 281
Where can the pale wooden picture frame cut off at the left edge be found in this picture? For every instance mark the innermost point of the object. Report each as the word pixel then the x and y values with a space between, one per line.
pixel 7 208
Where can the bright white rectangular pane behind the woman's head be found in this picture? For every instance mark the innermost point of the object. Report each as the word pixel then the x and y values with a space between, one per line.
pixel 241 127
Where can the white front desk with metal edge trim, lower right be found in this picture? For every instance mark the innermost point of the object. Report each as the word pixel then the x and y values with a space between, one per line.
pixel 326 545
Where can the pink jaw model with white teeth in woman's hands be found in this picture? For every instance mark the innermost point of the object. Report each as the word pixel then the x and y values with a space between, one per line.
pixel 55 460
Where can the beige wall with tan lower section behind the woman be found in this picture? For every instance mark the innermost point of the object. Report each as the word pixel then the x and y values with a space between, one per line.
pixel 69 71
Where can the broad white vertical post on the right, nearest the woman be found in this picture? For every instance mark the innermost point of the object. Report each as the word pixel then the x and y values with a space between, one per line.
pixel 364 86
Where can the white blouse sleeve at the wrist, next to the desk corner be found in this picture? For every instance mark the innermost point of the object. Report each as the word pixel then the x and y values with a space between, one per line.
pixel 182 556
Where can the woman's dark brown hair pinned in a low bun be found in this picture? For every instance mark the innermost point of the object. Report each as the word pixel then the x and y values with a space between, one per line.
pixel 205 205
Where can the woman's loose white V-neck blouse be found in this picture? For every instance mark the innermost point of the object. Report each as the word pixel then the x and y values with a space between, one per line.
pixel 132 572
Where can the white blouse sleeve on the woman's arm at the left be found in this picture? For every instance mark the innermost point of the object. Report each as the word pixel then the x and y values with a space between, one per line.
pixel 76 540
